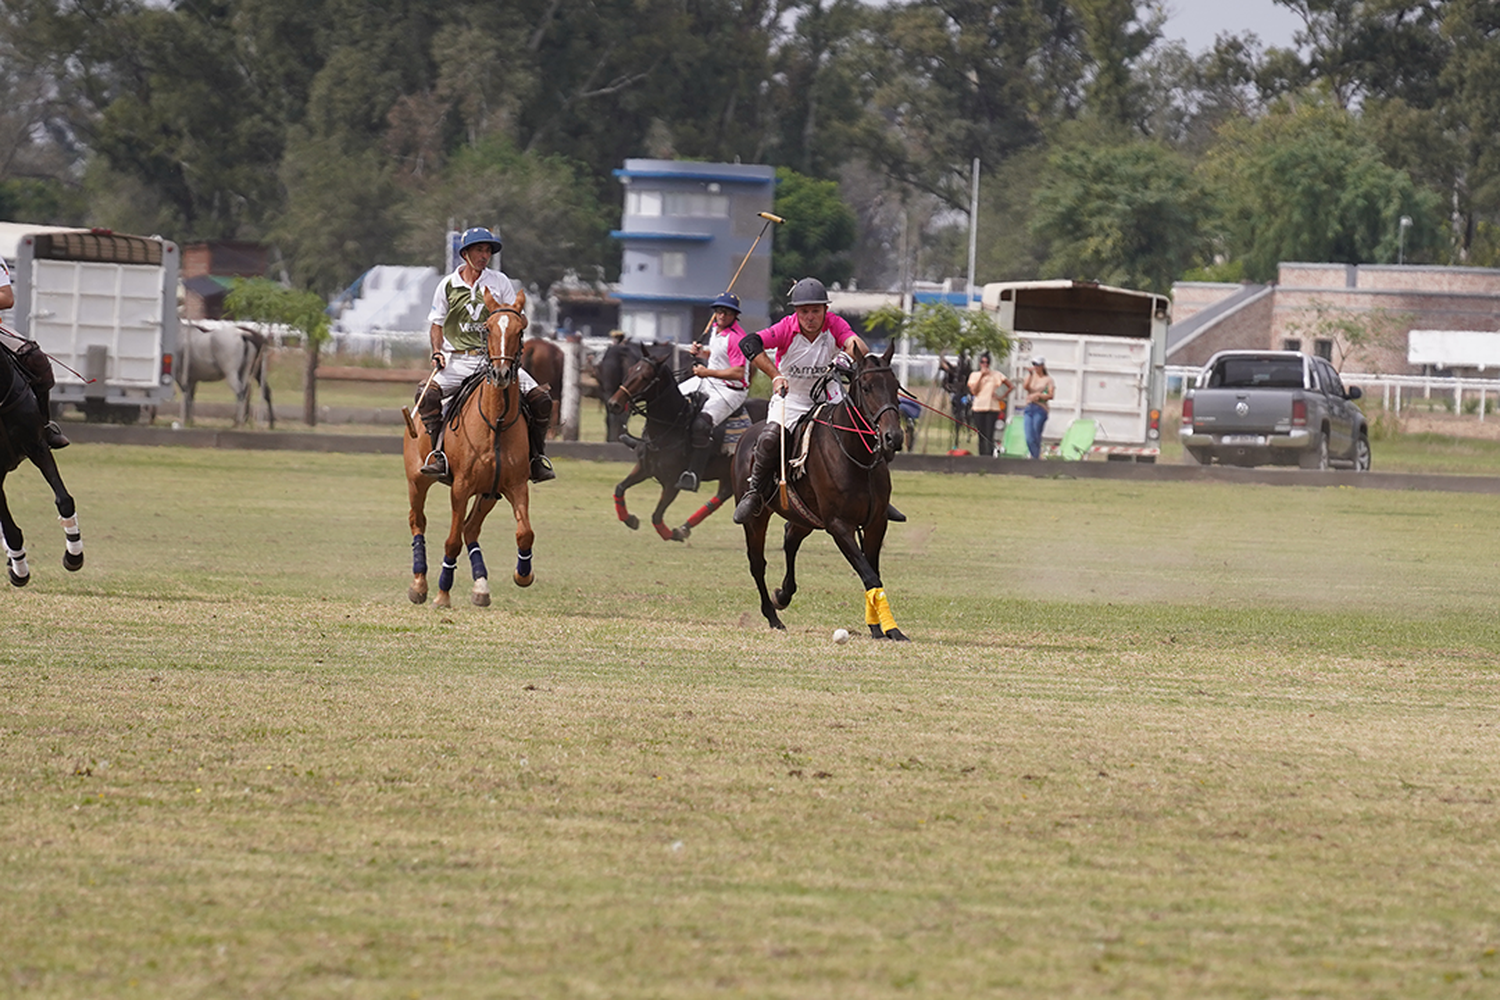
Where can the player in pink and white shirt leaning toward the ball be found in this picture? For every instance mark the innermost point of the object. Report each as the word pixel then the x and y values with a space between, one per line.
pixel 808 343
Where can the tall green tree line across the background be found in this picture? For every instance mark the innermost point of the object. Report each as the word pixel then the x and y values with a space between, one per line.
pixel 350 133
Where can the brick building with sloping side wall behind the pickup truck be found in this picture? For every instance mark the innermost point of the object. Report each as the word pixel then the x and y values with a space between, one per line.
pixel 1304 310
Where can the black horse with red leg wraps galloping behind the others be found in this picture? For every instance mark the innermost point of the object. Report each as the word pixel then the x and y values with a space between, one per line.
pixel 650 386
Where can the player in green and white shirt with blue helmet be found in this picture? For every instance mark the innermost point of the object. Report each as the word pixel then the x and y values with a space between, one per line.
pixel 460 349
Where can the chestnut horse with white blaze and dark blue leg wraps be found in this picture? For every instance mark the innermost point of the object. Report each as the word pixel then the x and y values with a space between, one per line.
pixel 488 457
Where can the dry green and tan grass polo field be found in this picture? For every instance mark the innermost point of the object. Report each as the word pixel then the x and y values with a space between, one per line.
pixel 1150 741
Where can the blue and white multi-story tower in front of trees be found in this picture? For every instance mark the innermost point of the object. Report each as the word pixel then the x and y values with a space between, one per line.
pixel 686 230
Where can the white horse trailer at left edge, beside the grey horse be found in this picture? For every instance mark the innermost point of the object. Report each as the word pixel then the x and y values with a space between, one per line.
pixel 104 307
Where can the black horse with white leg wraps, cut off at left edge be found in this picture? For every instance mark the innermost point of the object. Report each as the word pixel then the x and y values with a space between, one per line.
pixel 22 439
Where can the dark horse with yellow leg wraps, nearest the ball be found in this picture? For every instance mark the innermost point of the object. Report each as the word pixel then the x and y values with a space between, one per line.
pixel 845 490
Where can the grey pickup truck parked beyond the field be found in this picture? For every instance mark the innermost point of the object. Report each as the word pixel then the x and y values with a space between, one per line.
pixel 1274 409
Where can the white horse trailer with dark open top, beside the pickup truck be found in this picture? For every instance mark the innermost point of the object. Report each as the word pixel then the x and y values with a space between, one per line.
pixel 1105 347
